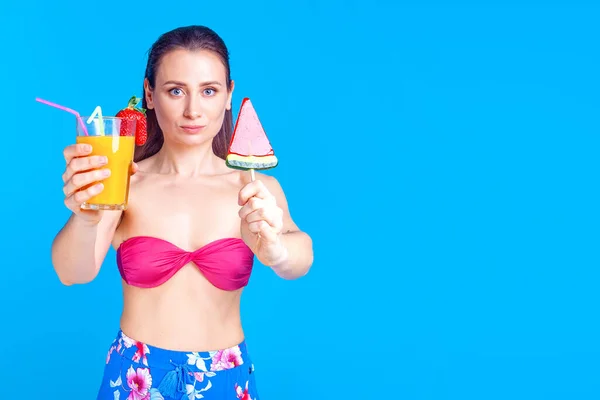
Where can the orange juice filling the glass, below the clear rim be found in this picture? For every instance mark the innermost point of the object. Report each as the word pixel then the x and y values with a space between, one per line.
pixel 119 150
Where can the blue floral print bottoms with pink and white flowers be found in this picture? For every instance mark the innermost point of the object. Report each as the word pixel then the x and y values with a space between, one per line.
pixel 137 371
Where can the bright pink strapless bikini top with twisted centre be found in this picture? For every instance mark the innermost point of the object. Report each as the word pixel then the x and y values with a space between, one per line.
pixel 146 261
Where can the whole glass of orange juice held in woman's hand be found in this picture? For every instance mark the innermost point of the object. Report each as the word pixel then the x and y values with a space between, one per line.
pixel 113 138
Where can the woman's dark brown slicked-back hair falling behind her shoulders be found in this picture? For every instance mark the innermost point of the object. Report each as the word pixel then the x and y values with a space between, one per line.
pixel 193 37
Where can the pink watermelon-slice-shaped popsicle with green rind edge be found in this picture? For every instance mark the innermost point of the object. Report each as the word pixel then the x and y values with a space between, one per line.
pixel 249 148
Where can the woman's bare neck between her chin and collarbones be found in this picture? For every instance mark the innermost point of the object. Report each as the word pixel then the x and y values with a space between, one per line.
pixel 188 161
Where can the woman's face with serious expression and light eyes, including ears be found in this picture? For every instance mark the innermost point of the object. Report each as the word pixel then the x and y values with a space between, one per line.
pixel 190 95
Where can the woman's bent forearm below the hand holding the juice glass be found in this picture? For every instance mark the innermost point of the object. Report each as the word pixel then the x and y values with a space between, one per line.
pixel 73 252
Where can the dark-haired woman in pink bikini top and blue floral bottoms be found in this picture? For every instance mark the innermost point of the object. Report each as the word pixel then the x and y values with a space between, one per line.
pixel 186 243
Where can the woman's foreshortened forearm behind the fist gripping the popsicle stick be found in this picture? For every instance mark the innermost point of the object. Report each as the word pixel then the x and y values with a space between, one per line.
pixel 297 258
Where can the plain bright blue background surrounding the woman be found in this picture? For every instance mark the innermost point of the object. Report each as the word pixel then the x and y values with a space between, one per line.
pixel 443 156
